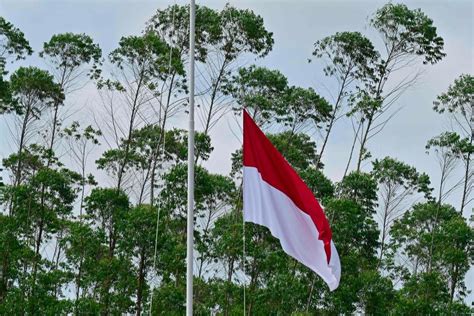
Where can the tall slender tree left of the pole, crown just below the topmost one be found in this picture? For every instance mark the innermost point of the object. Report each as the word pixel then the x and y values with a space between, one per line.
pixel 141 63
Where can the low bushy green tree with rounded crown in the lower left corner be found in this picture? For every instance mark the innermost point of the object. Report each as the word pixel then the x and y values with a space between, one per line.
pixel 41 206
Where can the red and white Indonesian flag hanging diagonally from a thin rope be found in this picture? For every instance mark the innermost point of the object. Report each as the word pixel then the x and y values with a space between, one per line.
pixel 276 197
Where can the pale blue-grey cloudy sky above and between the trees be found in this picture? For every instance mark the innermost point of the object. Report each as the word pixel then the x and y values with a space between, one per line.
pixel 296 25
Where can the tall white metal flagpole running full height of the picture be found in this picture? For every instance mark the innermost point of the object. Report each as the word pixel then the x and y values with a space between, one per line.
pixel 190 228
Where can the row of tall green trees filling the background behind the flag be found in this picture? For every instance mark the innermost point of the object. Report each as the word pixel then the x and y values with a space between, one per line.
pixel 75 243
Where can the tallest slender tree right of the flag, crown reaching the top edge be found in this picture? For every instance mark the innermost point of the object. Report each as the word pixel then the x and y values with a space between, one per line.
pixel 408 36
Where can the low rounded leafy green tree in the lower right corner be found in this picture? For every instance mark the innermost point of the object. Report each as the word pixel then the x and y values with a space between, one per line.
pixel 436 240
